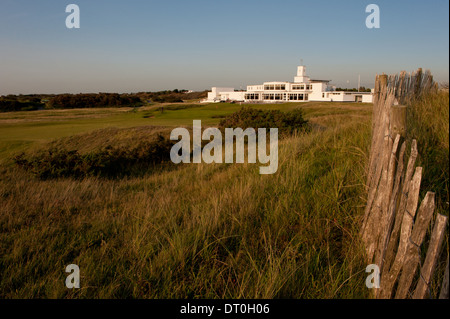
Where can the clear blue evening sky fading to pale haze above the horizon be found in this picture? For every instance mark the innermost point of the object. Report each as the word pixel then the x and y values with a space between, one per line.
pixel 134 46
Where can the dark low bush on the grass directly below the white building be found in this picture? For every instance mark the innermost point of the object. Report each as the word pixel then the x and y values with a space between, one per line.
pixel 286 122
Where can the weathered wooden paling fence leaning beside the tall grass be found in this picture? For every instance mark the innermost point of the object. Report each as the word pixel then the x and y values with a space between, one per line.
pixel 393 229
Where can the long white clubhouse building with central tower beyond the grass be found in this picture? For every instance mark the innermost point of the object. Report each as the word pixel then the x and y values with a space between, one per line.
pixel 303 89
